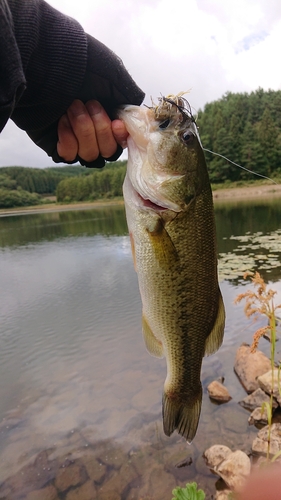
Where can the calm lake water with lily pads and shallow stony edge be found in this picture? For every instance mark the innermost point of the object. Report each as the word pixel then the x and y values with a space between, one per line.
pixel 80 398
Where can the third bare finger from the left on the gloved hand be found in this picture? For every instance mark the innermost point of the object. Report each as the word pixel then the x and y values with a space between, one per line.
pixel 103 127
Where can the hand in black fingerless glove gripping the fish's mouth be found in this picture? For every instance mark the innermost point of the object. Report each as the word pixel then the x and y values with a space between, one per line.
pixel 54 125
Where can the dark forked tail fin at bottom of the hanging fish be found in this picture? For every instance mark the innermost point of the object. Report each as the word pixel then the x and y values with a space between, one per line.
pixel 181 415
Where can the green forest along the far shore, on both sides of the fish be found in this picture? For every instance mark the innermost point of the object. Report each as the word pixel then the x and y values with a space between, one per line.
pixel 246 128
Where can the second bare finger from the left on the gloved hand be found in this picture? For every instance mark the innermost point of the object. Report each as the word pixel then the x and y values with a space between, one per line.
pixel 84 130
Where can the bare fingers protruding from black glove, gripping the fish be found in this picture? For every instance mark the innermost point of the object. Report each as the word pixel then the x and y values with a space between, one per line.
pixel 87 131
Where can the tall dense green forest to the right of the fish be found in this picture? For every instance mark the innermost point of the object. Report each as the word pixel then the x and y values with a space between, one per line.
pixel 246 128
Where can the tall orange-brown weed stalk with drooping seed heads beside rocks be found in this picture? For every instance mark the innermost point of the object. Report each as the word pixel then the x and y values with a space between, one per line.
pixel 261 302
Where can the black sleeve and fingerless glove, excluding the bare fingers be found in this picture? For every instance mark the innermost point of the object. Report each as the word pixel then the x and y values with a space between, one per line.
pixel 48 61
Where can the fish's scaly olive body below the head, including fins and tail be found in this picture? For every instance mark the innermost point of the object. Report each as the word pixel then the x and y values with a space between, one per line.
pixel 183 316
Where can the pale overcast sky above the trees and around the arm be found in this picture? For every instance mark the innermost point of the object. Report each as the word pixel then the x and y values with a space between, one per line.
pixel 208 46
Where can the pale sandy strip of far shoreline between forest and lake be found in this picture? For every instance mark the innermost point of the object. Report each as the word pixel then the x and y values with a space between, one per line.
pixel 263 191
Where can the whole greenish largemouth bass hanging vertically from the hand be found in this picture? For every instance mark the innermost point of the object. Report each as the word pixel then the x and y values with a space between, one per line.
pixel 170 217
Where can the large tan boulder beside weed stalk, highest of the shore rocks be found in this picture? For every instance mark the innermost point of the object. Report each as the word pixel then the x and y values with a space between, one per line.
pixel 249 366
